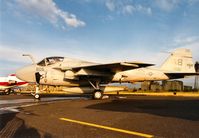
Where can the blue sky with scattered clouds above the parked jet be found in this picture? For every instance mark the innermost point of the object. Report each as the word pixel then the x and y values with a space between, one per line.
pixel 96 30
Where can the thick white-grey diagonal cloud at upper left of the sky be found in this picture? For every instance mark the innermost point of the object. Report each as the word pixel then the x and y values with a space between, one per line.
pixel 50 11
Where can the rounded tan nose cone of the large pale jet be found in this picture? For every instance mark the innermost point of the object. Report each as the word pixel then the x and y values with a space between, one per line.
pixel 26 73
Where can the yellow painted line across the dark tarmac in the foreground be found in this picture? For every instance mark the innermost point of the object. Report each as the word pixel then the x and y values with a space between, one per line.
pixel 108 128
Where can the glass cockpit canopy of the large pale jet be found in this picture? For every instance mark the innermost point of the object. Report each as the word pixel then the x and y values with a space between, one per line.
pixel 50 61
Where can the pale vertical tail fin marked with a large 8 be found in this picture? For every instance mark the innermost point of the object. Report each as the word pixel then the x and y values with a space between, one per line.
pixel 179 61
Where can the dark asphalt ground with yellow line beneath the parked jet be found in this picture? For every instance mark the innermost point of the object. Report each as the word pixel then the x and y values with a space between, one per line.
pixel 134 116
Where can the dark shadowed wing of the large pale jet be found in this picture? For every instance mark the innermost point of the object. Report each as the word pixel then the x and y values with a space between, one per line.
pixel 113 67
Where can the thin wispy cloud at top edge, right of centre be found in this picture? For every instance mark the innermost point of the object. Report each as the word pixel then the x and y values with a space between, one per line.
pixel 126 7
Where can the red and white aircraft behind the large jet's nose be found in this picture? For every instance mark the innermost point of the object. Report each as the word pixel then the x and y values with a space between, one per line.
pixel 9 83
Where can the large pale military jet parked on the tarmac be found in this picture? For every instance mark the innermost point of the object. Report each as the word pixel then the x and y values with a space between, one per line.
pixel 73 73
